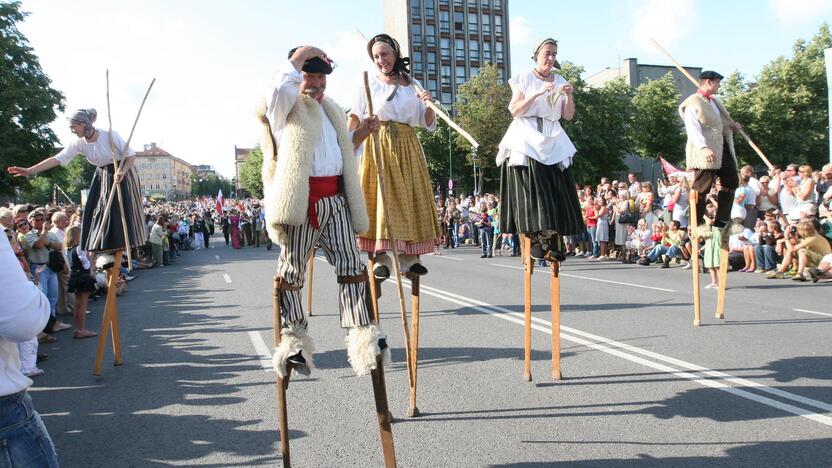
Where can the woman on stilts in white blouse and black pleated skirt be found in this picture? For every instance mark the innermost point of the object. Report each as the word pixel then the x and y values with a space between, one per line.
pixel 535 157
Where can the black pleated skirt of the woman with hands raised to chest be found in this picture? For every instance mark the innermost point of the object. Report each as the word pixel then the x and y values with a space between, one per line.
pixel 538 197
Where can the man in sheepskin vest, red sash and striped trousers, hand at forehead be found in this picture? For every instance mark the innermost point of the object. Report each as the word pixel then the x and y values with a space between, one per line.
pixel 312 196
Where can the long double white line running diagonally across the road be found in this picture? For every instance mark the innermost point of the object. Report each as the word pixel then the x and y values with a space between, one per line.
pixel 697 375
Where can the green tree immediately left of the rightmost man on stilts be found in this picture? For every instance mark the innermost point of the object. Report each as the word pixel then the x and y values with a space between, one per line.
pixel 656 126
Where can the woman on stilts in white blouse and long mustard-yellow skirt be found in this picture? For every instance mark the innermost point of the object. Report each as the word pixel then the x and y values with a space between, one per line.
pixel 400 109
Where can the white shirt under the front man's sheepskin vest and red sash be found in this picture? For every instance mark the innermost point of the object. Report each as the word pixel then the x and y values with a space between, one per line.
pixel 280 98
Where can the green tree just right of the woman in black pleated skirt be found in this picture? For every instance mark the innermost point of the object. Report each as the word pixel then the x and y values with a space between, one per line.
pixel 600 129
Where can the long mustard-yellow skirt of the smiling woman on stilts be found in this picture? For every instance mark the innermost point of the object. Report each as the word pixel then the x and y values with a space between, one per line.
pixel 412 207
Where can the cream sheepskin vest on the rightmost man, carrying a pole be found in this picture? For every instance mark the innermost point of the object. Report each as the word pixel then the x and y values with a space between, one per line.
pixel 715 129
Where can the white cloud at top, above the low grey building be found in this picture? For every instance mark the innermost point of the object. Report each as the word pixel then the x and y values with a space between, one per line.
pixel 667 21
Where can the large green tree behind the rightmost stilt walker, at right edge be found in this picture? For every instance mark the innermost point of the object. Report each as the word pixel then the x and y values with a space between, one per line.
pixel 786 112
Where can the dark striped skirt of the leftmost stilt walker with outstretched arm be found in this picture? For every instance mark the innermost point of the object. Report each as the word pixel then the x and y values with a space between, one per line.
pixel 109 224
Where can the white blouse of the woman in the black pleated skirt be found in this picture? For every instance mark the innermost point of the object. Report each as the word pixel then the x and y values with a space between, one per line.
pixel 525 138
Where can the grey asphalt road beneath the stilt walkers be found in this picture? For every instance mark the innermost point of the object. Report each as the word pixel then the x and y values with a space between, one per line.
pixel 642 386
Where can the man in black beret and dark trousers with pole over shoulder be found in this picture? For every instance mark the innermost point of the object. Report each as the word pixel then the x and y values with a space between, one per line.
pixel 710 151
